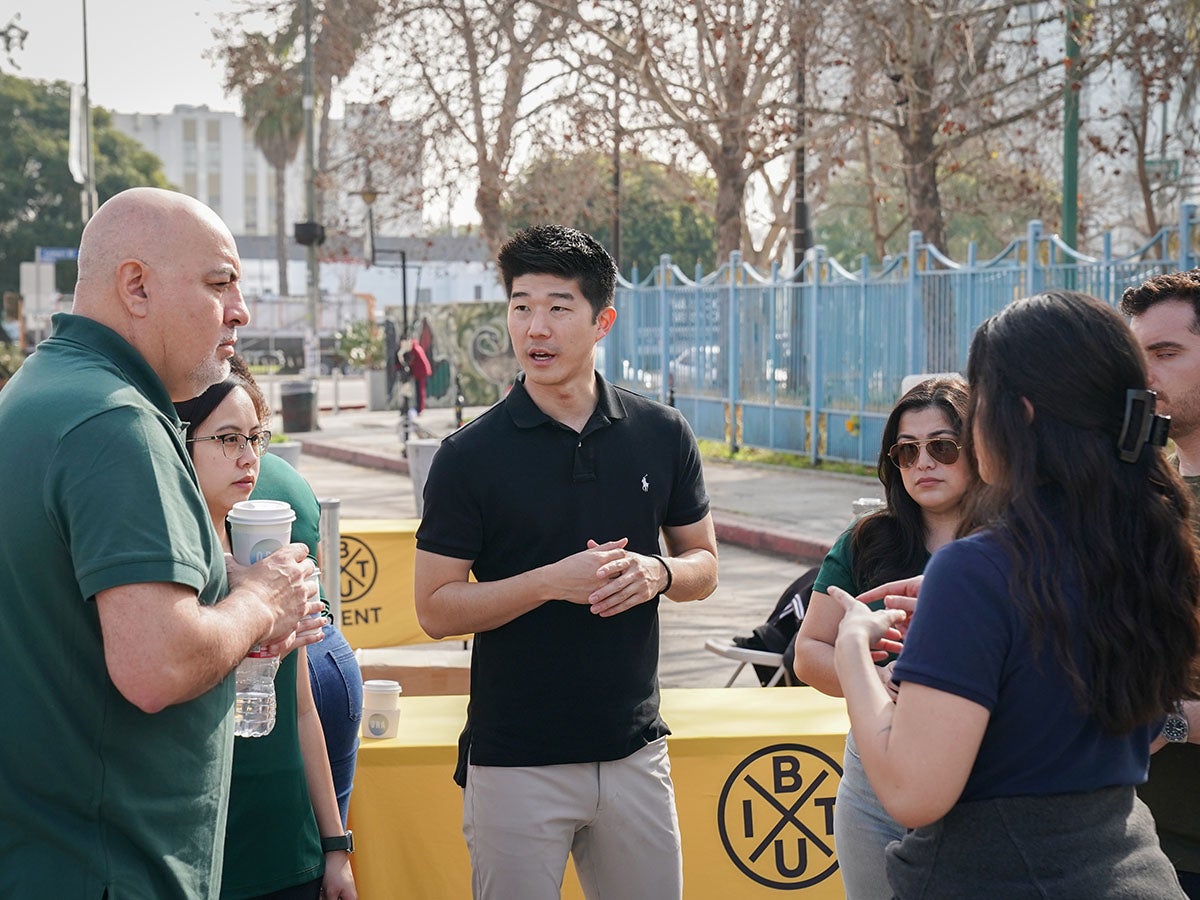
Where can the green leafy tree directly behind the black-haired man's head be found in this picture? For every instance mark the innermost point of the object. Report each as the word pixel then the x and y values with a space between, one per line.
pixel 663 211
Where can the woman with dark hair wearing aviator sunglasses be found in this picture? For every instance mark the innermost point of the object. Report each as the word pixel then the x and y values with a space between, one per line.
pixel 926 479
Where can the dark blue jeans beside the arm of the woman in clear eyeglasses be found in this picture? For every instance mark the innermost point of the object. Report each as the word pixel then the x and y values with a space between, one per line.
pixel 338 692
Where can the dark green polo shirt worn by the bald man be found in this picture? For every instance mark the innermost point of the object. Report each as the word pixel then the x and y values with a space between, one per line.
pixel 99 493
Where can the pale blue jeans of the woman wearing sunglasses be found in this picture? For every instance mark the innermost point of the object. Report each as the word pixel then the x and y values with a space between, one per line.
pixel 862 831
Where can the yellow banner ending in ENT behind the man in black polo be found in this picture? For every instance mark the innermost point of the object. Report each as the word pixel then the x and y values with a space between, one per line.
pixel 377 583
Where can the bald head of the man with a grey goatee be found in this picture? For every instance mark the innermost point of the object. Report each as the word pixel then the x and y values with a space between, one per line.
pixel 161 269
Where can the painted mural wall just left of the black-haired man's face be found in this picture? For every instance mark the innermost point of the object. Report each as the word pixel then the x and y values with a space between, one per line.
pixel 470 341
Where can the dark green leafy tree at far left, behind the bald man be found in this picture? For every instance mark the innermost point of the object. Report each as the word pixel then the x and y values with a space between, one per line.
pixel 39 200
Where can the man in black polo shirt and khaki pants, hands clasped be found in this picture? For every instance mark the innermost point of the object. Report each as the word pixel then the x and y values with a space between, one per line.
pixel 556 500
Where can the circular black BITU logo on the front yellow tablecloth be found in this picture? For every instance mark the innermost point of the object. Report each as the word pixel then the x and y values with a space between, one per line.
pixel 776 817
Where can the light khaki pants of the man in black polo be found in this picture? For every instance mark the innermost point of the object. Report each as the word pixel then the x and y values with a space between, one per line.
pixel 617 819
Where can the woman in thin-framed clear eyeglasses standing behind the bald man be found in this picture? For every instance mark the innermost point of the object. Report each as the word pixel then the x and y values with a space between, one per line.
pixel 281 796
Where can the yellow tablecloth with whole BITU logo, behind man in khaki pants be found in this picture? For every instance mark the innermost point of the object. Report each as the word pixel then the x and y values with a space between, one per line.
pixel 755 771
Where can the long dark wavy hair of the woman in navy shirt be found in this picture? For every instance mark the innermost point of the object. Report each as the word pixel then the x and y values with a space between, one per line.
pixel 1048 382
